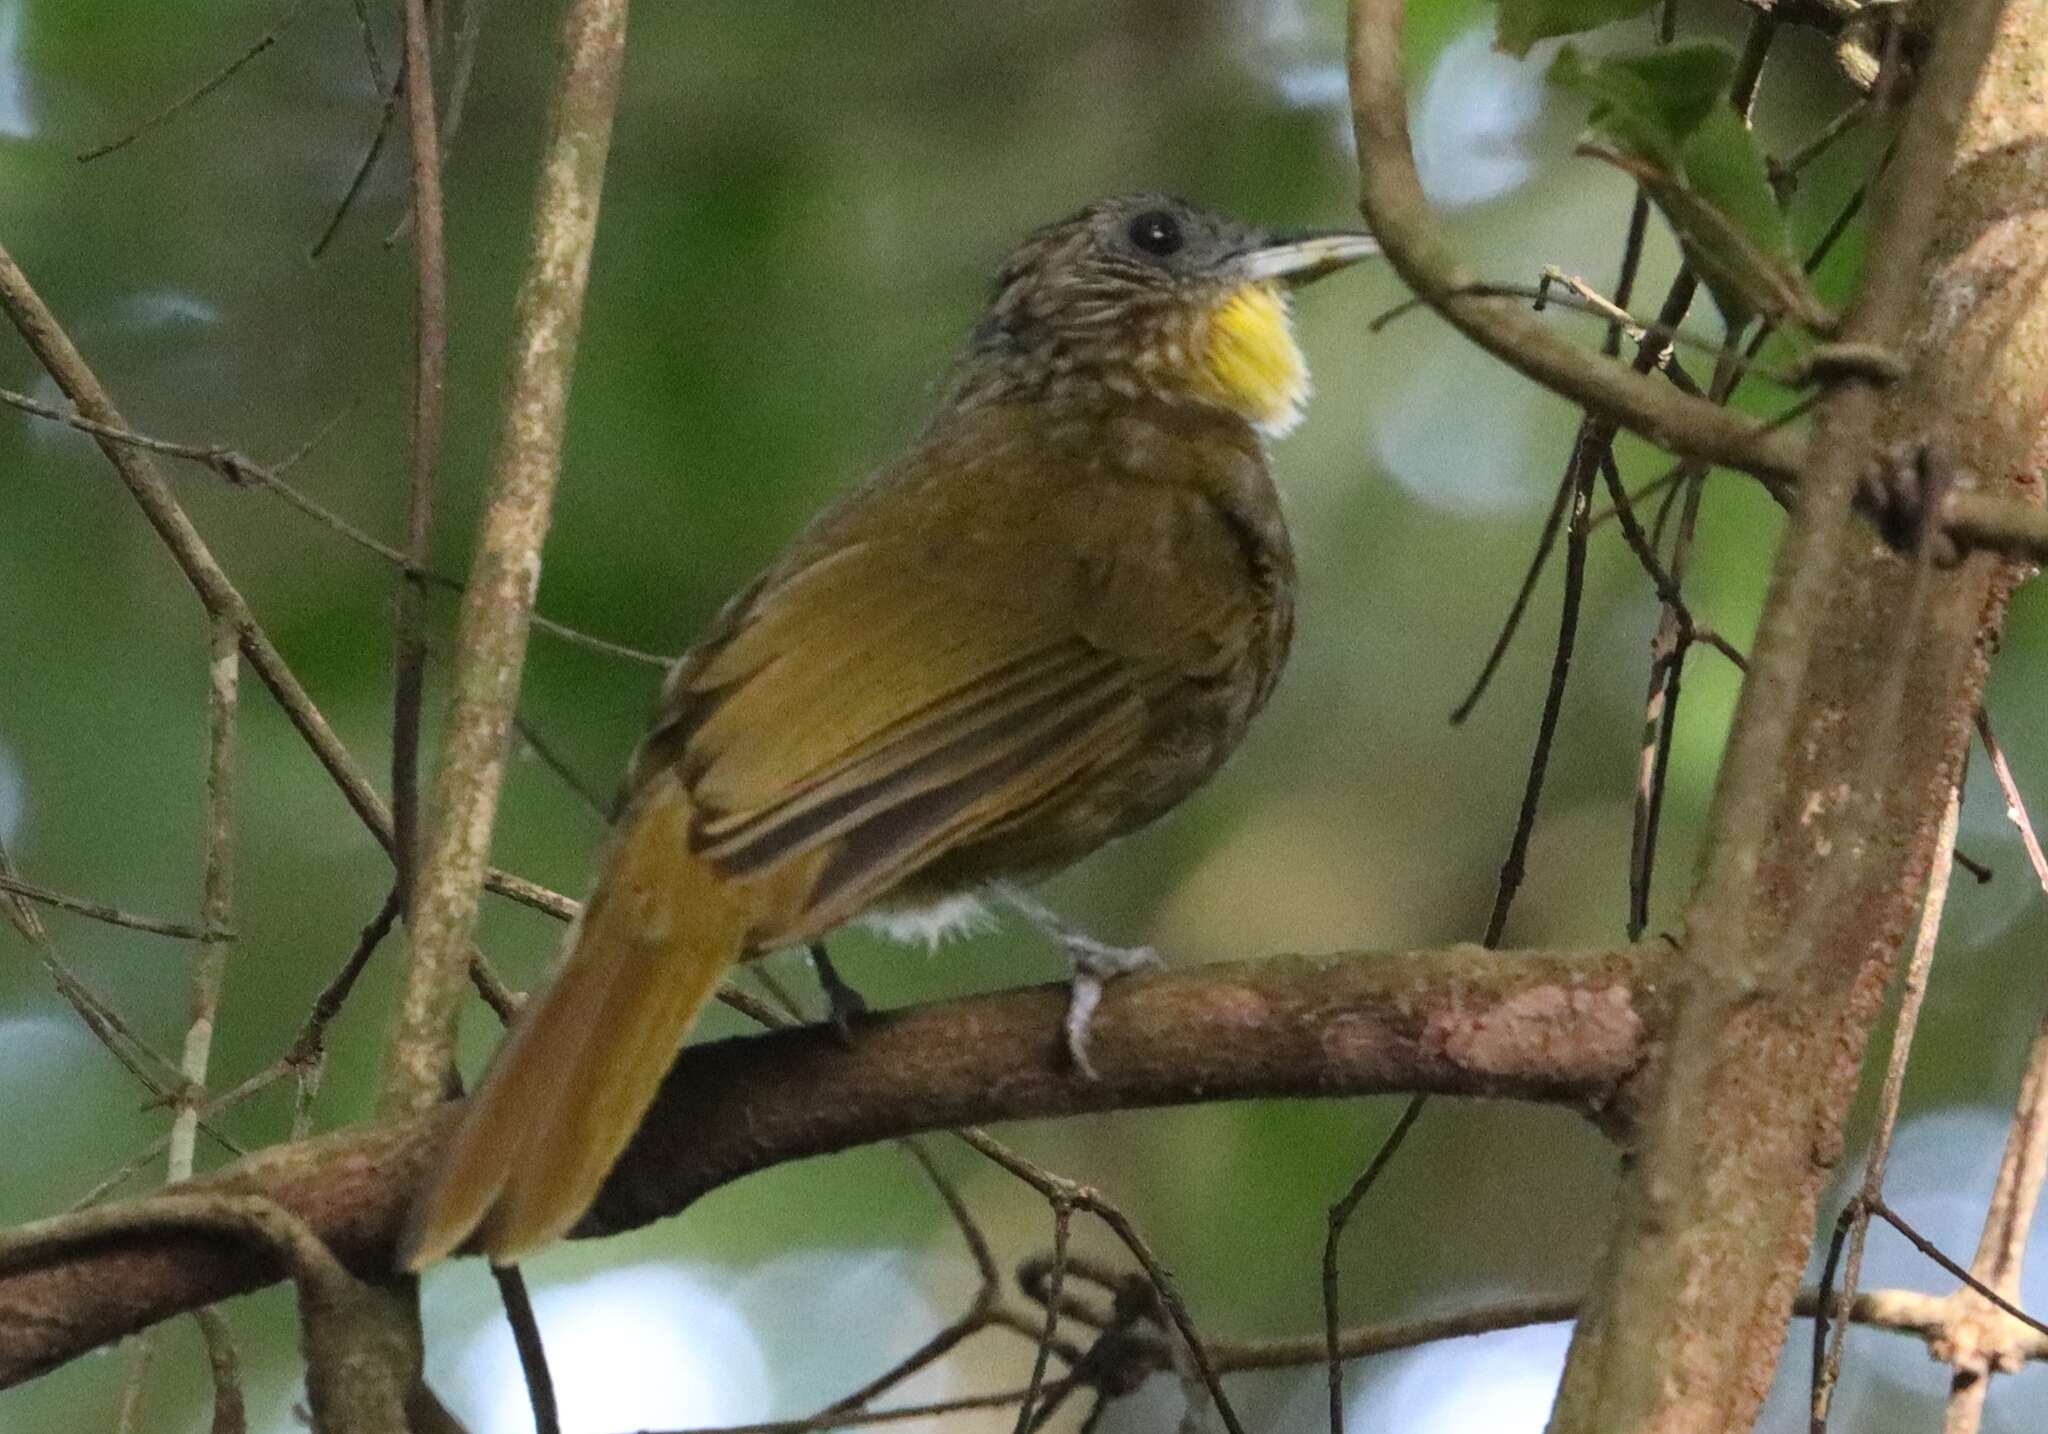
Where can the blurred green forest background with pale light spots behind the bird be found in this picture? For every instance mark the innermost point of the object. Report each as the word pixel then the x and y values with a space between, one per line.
pixel 806 204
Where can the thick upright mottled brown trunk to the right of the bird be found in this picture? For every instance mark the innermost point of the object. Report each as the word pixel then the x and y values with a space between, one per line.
pixel 1846 751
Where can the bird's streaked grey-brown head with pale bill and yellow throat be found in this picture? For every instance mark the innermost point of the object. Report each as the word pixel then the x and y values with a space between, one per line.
pixel 1146 296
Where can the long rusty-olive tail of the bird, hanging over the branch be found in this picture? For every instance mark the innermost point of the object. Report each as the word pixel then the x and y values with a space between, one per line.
pixel 583 1064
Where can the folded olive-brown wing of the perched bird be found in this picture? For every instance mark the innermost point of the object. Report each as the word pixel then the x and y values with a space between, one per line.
pixel 890 695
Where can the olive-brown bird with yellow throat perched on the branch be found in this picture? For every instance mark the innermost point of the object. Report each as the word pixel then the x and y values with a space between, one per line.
pixel 1037 630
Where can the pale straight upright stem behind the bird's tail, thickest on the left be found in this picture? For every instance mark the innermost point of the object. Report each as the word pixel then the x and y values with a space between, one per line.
pixel 507 571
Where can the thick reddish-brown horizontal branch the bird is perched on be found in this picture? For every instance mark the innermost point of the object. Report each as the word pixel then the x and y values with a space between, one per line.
pixel 1558 1027
